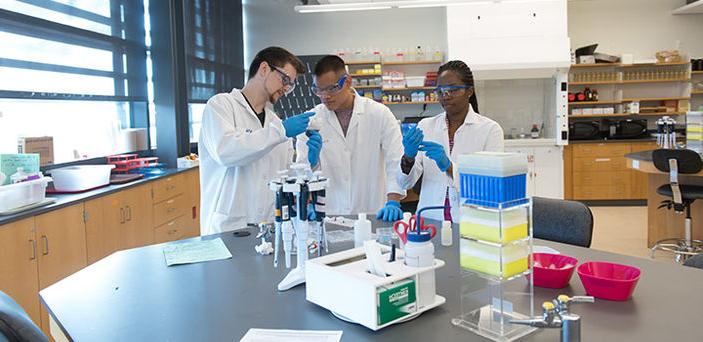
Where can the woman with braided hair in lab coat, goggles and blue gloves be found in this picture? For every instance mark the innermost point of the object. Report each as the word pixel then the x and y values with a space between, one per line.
pixel 431 148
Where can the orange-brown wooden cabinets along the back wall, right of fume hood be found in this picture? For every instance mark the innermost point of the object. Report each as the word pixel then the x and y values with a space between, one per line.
pixel 598 171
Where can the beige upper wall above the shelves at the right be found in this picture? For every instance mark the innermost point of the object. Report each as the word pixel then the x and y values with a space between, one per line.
pixel 640 27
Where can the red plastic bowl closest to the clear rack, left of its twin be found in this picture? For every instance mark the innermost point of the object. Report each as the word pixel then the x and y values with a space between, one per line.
pixel 553 270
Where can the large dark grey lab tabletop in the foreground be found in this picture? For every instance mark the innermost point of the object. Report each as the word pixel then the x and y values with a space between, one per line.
pixel 132 296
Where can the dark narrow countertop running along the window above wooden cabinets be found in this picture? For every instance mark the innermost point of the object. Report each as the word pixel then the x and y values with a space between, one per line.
pixel 65 200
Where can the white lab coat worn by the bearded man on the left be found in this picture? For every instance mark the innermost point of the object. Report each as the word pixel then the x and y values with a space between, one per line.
pixel 238 157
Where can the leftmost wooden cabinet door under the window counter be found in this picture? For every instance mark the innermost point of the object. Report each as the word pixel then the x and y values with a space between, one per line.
pixel 19 255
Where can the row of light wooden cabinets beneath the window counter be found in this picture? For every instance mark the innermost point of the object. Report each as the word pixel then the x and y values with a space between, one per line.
pixel 39 251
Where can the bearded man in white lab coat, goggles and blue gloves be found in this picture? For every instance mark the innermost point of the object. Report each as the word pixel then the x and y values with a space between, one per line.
pixel 243 144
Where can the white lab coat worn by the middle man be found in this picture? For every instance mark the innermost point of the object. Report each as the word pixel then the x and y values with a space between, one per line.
pixel 362 166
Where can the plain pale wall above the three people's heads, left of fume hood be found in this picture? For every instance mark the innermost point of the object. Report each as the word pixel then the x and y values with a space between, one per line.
pixel 274 22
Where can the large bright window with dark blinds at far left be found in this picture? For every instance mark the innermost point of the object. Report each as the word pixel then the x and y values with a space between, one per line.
pixel 74 70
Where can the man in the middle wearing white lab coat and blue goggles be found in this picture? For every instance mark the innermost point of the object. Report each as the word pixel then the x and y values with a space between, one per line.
pixel 362 146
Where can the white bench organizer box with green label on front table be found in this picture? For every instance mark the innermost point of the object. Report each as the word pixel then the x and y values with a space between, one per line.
pixel 341 282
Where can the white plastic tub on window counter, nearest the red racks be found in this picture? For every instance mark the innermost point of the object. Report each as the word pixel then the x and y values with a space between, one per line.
pixel 81 177
